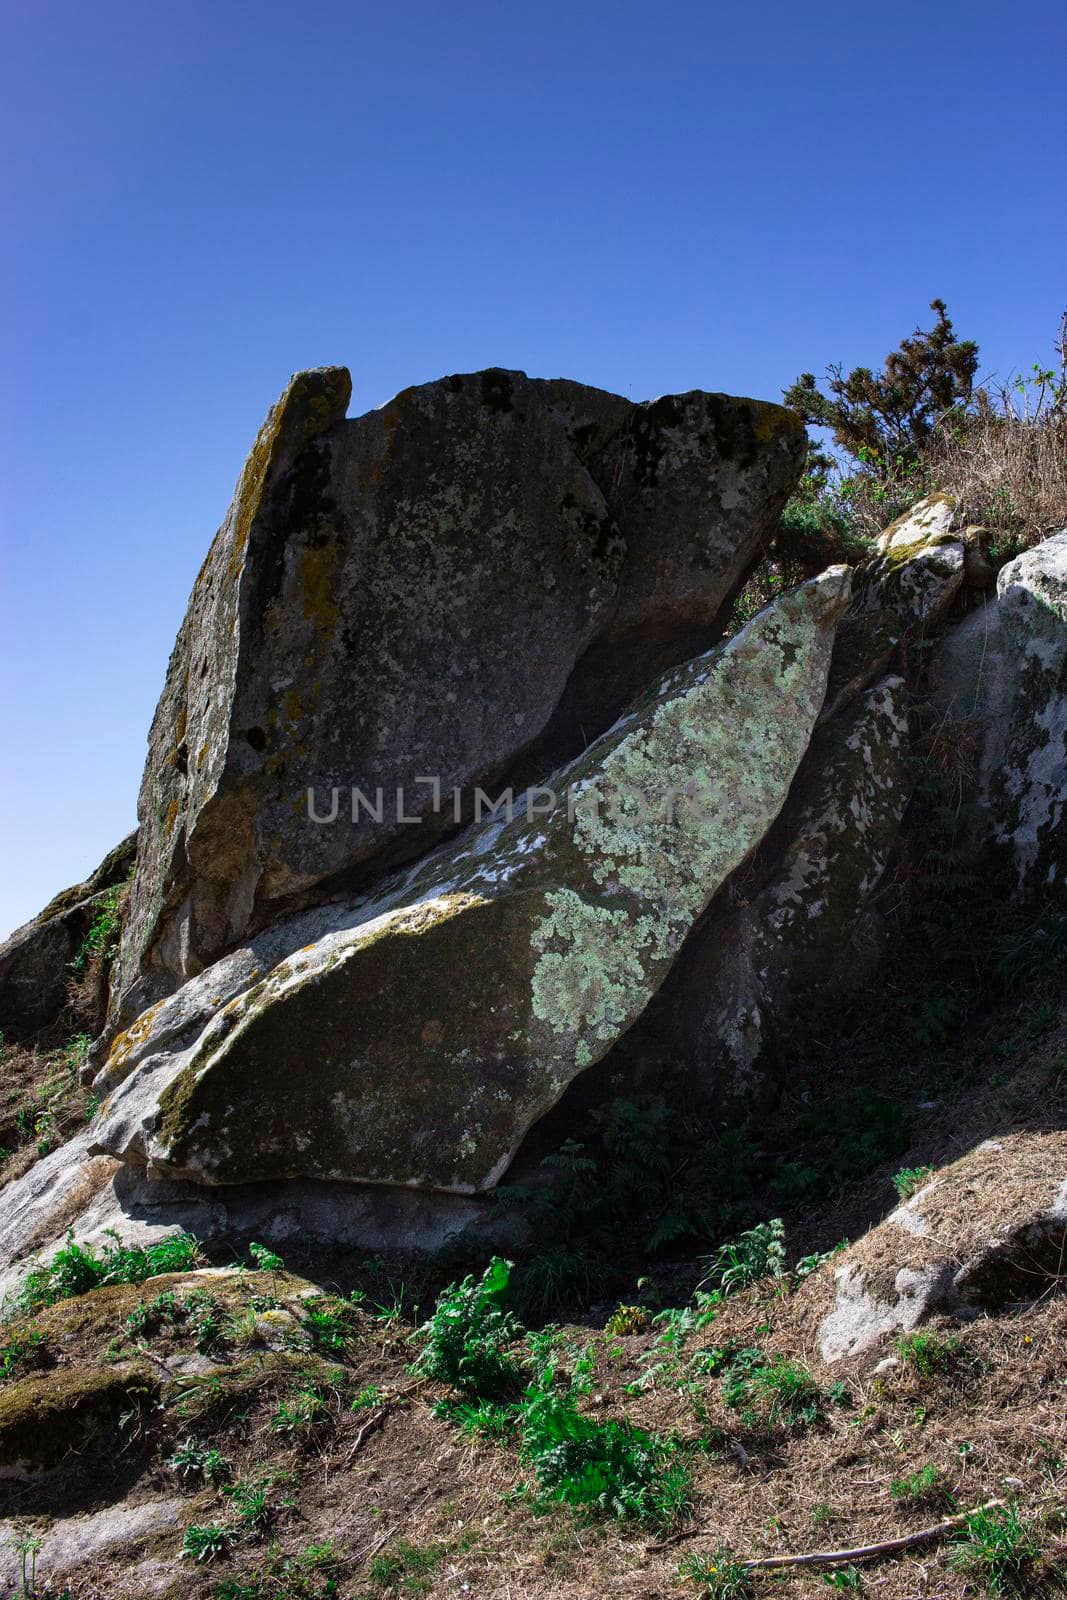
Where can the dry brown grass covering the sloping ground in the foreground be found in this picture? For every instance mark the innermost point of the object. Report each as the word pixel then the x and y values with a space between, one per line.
pixel 417 1482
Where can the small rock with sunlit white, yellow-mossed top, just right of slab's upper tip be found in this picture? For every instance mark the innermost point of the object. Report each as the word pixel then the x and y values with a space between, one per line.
pixel 903 593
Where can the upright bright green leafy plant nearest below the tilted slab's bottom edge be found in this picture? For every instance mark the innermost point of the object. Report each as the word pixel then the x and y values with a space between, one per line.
pixel 466 1338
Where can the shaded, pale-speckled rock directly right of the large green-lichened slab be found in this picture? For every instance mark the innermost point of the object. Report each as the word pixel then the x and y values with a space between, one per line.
pixel 759 975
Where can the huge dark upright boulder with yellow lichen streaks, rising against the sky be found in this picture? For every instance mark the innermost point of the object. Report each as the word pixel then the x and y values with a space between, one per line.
pixel 420 596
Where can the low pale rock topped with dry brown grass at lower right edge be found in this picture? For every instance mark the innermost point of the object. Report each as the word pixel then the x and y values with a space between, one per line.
pixel 983 1234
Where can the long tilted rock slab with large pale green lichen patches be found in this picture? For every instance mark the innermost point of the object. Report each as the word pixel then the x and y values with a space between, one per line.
pixel 418 1036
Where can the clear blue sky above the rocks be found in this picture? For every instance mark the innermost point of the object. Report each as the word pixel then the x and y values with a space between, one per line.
pixel 201 199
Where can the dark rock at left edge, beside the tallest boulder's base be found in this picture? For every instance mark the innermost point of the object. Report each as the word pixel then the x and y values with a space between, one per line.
pixel 36 961
